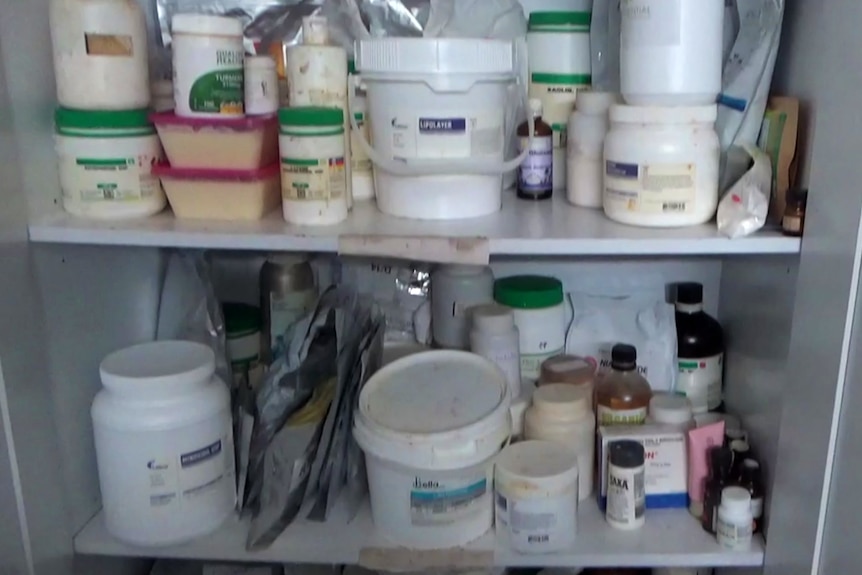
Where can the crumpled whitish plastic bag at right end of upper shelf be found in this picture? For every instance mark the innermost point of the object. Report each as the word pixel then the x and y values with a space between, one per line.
pixel 743 209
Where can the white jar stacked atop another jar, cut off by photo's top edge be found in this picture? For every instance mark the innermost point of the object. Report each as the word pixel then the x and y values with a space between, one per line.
pixel 671 52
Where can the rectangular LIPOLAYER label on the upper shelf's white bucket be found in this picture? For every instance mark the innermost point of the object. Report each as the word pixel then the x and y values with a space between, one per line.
pixel 446 136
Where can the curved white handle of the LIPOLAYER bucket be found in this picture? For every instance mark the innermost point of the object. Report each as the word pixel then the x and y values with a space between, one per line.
pixel 439 167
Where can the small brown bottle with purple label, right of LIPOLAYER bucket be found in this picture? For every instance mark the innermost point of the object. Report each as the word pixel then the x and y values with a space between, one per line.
pixel 536 174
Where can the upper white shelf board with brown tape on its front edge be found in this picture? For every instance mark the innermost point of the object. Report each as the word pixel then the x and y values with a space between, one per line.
pixel 521 228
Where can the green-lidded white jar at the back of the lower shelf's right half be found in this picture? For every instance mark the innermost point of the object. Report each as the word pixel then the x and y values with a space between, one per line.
pixel 538 304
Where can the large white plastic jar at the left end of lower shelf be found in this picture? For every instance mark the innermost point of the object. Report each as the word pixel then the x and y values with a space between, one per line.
pixel 164 443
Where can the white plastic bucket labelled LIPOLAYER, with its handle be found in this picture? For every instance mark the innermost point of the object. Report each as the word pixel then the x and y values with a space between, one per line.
pixel 440 112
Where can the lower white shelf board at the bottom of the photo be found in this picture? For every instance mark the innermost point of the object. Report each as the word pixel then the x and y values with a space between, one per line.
pixel 670 538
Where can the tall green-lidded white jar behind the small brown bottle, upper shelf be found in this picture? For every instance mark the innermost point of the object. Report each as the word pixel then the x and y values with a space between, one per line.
pixel 558 45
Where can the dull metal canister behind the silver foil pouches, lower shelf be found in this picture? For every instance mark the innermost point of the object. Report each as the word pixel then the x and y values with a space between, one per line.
pixel 287 292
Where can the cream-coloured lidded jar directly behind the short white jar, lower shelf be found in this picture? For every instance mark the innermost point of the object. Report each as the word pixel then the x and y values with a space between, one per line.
pixel 563 413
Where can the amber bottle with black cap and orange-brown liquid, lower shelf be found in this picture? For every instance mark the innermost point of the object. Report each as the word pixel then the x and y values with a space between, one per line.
pixel 622 395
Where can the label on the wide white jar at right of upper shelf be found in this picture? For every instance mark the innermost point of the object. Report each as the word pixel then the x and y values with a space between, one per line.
pixel 650 189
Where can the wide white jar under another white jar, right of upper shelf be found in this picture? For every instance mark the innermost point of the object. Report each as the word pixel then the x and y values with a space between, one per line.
pixel 661 166
